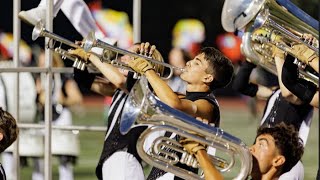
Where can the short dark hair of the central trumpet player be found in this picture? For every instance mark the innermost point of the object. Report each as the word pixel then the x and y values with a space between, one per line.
pixel 219 66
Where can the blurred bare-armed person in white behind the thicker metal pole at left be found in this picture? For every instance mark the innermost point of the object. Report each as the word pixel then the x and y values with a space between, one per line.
pixel 65 93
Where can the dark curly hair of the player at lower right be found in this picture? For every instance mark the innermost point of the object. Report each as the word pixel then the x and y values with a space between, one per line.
pixel 287 141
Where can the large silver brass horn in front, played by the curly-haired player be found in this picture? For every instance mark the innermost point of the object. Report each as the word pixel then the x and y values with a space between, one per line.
pixel 143 108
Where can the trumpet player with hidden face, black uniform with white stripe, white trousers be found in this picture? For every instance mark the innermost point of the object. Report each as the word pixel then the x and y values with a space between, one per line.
pixel 119 158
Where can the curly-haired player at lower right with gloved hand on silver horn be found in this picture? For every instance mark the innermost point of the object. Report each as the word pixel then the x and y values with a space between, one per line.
pixel 275 151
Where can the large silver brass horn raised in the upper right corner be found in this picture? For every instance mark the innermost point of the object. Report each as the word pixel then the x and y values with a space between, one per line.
pixel 264 23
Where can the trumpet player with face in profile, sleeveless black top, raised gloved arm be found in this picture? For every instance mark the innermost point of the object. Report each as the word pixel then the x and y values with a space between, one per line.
pixel 209 70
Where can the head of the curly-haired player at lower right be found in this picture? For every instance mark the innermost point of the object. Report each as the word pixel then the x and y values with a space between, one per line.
pixel 276 150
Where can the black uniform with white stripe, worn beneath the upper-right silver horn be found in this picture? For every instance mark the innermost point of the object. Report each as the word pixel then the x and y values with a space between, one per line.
pixel 277 108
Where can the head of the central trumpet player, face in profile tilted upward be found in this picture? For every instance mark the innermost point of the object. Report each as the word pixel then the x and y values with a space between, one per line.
pixel 210 69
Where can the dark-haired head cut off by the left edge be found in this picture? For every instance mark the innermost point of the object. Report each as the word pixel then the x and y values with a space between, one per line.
pixel 9 129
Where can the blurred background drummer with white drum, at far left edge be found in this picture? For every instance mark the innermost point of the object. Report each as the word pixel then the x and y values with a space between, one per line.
pixel 27 97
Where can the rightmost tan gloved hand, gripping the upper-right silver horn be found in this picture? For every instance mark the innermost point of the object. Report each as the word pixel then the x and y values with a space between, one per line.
pixel 303 53
